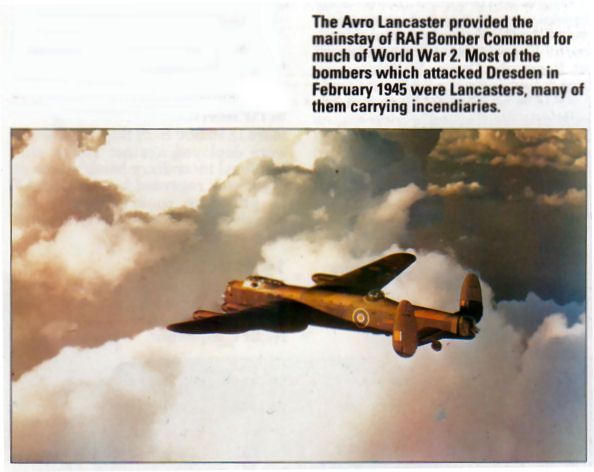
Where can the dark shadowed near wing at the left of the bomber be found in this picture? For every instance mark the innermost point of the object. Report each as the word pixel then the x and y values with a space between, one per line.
pixel 276 317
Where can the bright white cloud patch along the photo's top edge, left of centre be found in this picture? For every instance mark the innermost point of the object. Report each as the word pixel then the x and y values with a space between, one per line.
pixel 164 169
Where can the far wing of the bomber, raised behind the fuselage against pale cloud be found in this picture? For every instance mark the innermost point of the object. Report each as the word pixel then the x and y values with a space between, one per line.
pixel 371 276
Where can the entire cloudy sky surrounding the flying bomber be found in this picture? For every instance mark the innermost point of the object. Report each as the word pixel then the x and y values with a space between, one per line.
pixel 118 233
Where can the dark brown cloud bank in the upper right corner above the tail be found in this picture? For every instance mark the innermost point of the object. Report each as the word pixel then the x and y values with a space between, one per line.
pixel 484 215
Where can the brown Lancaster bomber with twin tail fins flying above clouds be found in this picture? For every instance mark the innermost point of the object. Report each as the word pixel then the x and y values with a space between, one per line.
pixel 352 301
